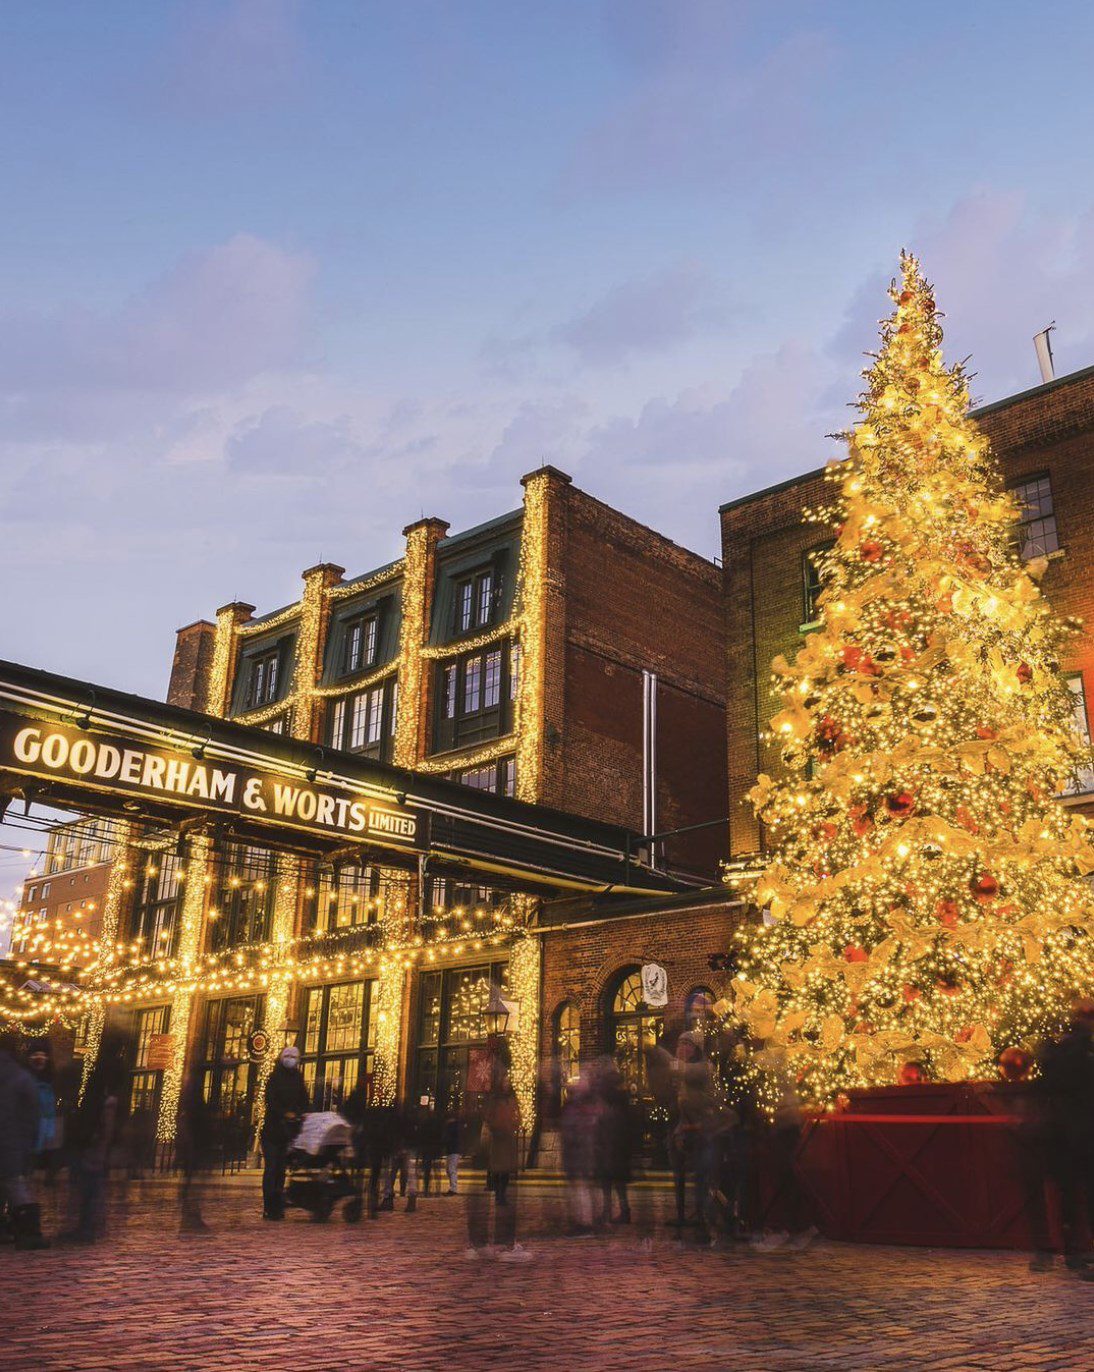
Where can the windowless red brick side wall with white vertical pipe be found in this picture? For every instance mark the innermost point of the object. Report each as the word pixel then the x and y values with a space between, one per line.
pixel 638 602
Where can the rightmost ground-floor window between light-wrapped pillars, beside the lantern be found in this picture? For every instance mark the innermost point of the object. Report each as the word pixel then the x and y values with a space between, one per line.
pixel 451 1028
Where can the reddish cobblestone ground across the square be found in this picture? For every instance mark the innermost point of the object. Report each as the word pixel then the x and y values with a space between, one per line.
pixel 397 1293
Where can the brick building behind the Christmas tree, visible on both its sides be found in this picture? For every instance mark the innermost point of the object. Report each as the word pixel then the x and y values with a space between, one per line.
pixel 1044 440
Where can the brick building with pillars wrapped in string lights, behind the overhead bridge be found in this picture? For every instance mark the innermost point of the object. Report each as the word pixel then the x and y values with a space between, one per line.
pixel 561 654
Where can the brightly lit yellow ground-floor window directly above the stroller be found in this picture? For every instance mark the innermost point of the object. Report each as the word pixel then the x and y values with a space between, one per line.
pixel 338 1041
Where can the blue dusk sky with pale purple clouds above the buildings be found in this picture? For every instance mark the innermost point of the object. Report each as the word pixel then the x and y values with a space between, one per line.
pixel 282 278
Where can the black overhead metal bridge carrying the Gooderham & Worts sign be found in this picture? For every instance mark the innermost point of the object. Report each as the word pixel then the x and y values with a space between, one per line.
pixel 69 744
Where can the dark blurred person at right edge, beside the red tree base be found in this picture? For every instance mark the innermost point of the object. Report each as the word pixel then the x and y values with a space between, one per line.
pixel 1067 1083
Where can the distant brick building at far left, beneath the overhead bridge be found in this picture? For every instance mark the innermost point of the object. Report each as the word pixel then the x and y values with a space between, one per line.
pixel 62 899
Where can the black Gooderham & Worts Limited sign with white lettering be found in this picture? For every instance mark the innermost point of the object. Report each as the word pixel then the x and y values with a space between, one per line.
pixel 126 766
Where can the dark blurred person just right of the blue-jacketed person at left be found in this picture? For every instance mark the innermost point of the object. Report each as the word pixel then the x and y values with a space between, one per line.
pixel 93 1135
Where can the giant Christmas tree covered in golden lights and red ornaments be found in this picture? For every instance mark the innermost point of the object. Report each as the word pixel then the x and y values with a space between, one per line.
pixel 924 898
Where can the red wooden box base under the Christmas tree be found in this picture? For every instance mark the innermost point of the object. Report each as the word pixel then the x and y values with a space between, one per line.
pixel 933 1166
